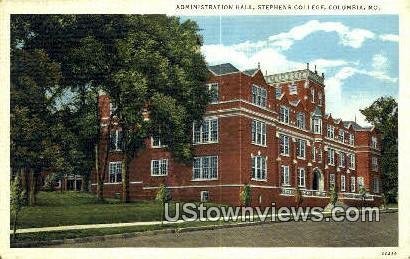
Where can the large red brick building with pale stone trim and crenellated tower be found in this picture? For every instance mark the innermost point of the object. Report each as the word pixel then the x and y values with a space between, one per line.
pixel 271 132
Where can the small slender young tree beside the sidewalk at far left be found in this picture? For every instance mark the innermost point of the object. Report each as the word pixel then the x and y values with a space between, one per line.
pixel 17 201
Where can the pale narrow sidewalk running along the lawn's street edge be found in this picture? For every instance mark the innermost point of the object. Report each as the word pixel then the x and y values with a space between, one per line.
pixel 148 223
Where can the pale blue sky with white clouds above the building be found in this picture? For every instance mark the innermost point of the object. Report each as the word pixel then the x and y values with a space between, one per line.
pixel 358 54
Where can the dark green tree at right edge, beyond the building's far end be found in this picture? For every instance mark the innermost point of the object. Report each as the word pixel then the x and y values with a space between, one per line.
pixel 383 114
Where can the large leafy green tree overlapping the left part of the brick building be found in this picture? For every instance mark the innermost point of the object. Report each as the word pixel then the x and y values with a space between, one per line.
pixel 161 73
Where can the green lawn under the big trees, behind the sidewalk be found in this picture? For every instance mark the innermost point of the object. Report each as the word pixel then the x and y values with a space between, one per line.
pixel 76 208
